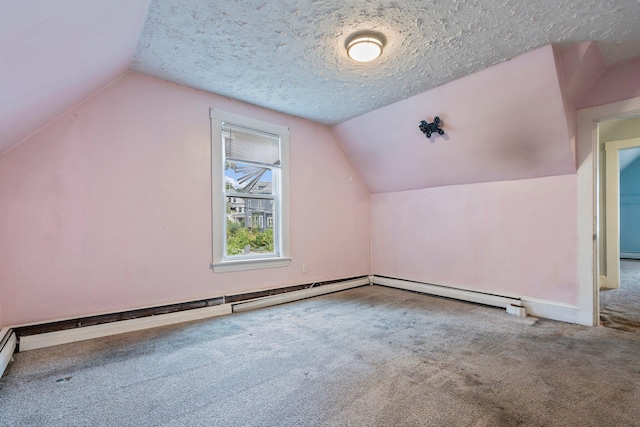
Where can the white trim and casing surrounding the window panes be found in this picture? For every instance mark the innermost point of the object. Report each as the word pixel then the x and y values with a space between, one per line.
pixel 221 264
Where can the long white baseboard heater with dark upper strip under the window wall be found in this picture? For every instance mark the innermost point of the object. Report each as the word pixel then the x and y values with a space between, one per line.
pixel 30 337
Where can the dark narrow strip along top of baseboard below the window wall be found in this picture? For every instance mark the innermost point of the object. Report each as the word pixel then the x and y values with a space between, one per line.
pixel 80 322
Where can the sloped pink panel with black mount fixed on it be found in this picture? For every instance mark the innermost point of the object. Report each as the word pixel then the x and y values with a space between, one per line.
pixel 505 122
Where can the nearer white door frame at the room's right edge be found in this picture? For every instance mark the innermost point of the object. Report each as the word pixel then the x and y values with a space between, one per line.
pixel 588 173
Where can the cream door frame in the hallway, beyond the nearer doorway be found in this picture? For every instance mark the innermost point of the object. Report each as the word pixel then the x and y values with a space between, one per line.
pixel 612 209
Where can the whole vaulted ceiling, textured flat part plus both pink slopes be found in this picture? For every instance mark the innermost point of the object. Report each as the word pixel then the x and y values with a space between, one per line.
pixel 487 67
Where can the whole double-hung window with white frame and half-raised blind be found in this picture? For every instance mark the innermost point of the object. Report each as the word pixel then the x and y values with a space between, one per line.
pixel 249 184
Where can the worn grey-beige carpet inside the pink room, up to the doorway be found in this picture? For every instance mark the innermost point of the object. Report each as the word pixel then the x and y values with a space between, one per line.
pixel 370 356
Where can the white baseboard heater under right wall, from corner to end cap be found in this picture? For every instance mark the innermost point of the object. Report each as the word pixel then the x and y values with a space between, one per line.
pixel 448 292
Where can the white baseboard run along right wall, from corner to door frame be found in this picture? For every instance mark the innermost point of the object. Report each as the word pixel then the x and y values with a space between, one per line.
pixel 535 307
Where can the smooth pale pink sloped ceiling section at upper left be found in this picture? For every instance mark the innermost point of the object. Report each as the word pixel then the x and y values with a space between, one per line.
pixel 57 53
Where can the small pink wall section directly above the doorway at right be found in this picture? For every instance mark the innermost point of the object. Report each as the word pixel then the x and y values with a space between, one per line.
pixel 617 83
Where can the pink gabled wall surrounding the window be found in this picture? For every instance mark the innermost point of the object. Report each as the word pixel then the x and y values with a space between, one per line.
pixel 109 207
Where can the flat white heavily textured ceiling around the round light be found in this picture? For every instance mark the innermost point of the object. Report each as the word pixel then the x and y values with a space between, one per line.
pixel 288 55
